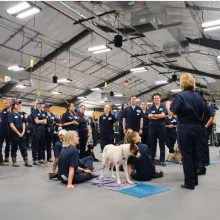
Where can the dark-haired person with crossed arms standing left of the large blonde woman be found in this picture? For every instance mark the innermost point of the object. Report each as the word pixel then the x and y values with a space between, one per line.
pixel 156 114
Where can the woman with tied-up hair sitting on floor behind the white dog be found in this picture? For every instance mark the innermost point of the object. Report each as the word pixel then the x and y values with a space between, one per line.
pixel 143 168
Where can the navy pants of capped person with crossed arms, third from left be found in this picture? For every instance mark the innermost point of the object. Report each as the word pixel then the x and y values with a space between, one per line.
pixel 38 143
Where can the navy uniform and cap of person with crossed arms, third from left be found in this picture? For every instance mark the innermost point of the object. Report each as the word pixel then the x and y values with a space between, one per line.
pixel 38 135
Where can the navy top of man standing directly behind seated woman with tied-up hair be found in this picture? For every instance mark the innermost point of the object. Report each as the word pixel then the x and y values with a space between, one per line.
pixel 132 117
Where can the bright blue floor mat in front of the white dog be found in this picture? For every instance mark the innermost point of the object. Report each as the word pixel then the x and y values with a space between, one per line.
pixel 142 190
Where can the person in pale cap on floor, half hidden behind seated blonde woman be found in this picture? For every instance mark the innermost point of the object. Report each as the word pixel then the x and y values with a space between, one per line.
pixel 57 149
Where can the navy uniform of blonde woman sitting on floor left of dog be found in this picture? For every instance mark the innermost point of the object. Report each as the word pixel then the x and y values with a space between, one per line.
pixel 69 157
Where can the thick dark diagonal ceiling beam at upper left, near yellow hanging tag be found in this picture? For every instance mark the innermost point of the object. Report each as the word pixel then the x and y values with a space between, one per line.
pixel 60 50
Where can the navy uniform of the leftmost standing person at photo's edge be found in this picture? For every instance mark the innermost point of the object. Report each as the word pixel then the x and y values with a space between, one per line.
pixel 4 135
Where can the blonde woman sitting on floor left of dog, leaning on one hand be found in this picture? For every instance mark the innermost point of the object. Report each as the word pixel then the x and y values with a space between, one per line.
pixel 68 171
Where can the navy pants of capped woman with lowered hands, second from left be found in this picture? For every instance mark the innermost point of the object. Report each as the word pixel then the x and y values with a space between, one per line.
pixel 18 142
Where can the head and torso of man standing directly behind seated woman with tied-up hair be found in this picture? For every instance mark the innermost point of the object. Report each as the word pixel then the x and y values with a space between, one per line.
pixel 133 117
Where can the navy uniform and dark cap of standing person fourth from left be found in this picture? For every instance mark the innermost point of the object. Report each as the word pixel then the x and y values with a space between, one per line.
pixel 49 131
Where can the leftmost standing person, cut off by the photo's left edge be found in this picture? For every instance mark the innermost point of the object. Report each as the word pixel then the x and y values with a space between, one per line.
pixel 4 133
